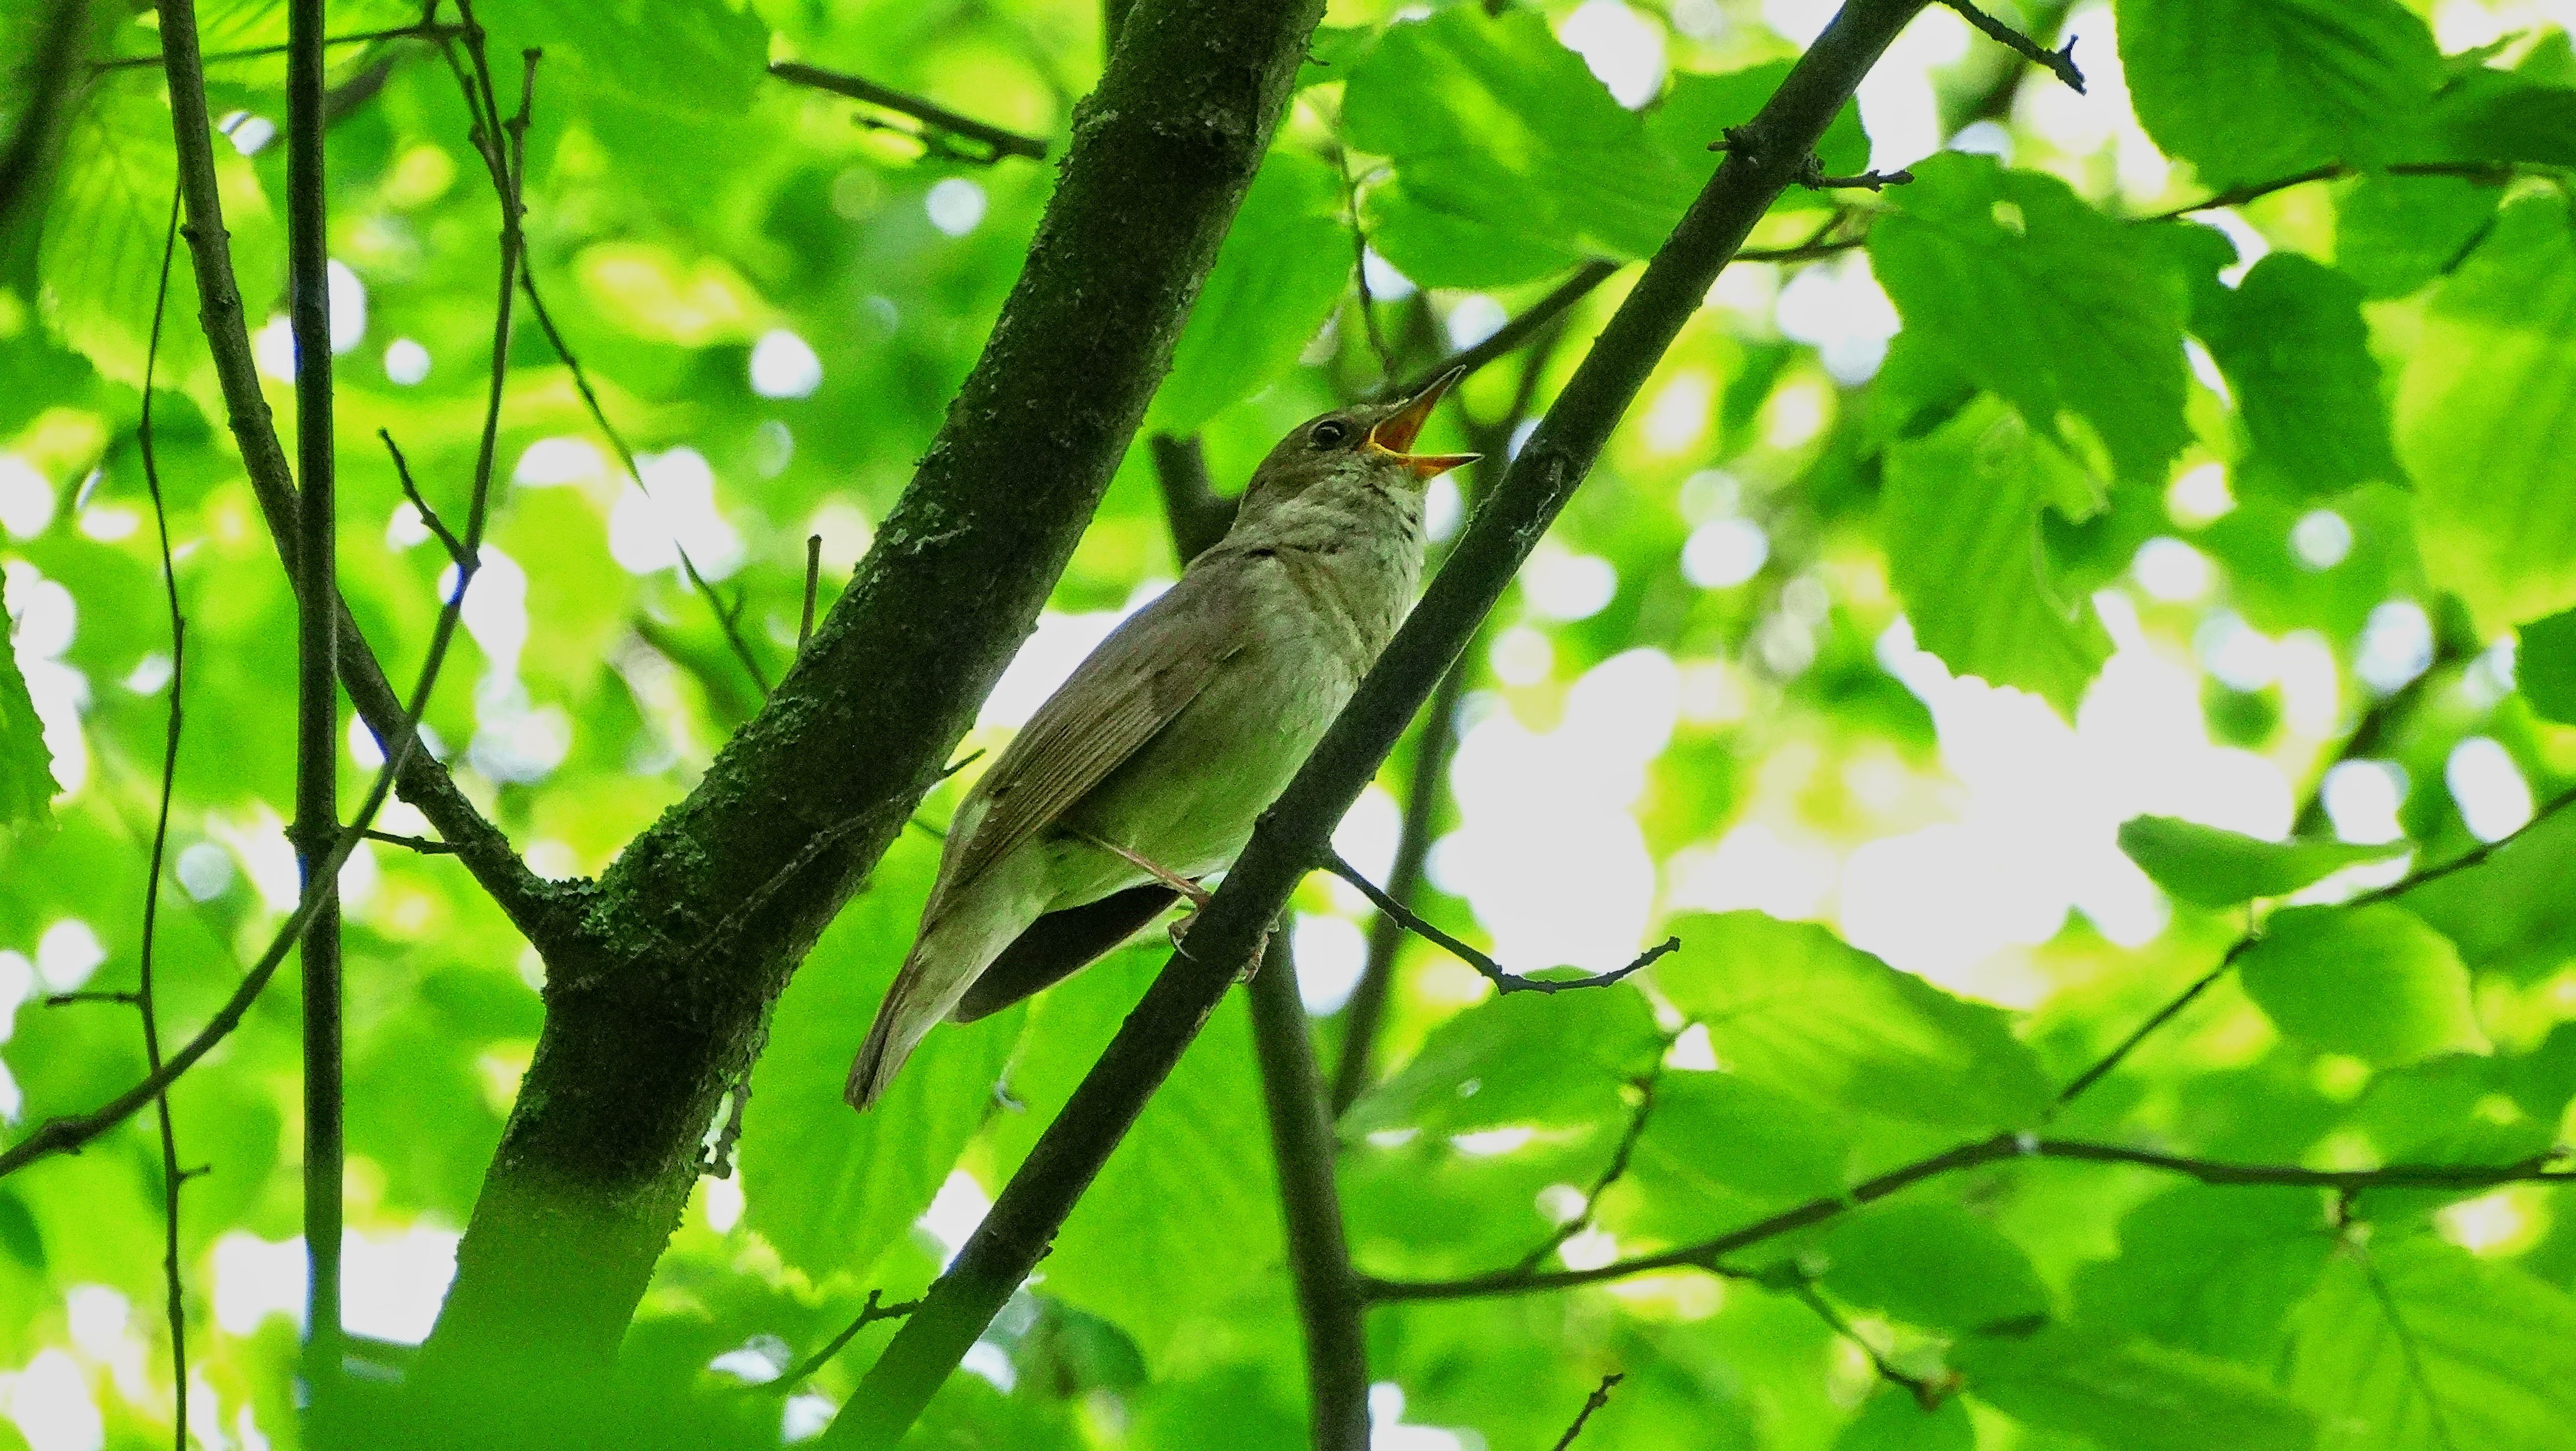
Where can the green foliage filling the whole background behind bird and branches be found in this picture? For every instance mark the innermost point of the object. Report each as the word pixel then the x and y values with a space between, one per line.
pixel 1699 700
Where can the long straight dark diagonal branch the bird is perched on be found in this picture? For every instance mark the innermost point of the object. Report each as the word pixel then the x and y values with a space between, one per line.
pixel 1297 831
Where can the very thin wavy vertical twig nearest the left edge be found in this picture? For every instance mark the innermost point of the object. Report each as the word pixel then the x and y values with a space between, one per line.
pixel 176 1298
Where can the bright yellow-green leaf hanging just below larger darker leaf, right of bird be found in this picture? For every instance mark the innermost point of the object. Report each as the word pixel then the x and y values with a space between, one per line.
pixel 1962 524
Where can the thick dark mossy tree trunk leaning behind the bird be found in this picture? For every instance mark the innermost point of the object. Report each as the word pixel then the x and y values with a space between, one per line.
pixel 658 1001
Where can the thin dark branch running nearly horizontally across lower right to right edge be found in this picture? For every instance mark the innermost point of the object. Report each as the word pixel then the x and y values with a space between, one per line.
pixel 1709 1254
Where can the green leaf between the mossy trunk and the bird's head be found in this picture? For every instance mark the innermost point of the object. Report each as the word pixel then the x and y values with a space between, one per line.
pixel 1274 285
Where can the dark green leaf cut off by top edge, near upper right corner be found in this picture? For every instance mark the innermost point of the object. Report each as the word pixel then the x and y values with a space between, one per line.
pixel 2266 89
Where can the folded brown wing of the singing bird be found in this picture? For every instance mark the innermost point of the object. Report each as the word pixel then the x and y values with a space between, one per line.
pixel 1114 702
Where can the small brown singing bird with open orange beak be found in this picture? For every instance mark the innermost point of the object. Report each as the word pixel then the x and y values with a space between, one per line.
pixel 1150 767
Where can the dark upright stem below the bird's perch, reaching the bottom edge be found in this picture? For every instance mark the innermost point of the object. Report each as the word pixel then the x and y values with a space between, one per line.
pixel 1328 1295
